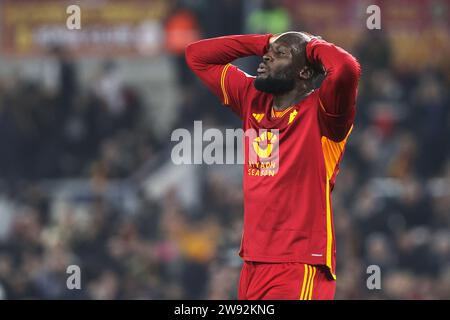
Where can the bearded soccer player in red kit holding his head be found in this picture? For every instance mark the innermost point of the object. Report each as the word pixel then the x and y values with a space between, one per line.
pixel 288 243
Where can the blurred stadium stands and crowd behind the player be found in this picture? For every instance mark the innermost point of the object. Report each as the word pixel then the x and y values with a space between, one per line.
pixel 85 171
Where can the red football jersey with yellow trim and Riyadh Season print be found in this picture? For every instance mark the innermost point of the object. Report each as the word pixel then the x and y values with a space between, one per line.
pixel 292 160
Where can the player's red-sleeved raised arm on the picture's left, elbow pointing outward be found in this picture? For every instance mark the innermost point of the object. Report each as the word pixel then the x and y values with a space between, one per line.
pixel 210 60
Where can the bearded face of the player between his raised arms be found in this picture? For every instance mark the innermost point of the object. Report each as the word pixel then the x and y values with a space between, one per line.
pixel 278 72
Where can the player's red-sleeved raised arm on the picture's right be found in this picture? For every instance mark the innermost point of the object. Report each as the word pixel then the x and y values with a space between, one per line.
pixel 338 91
